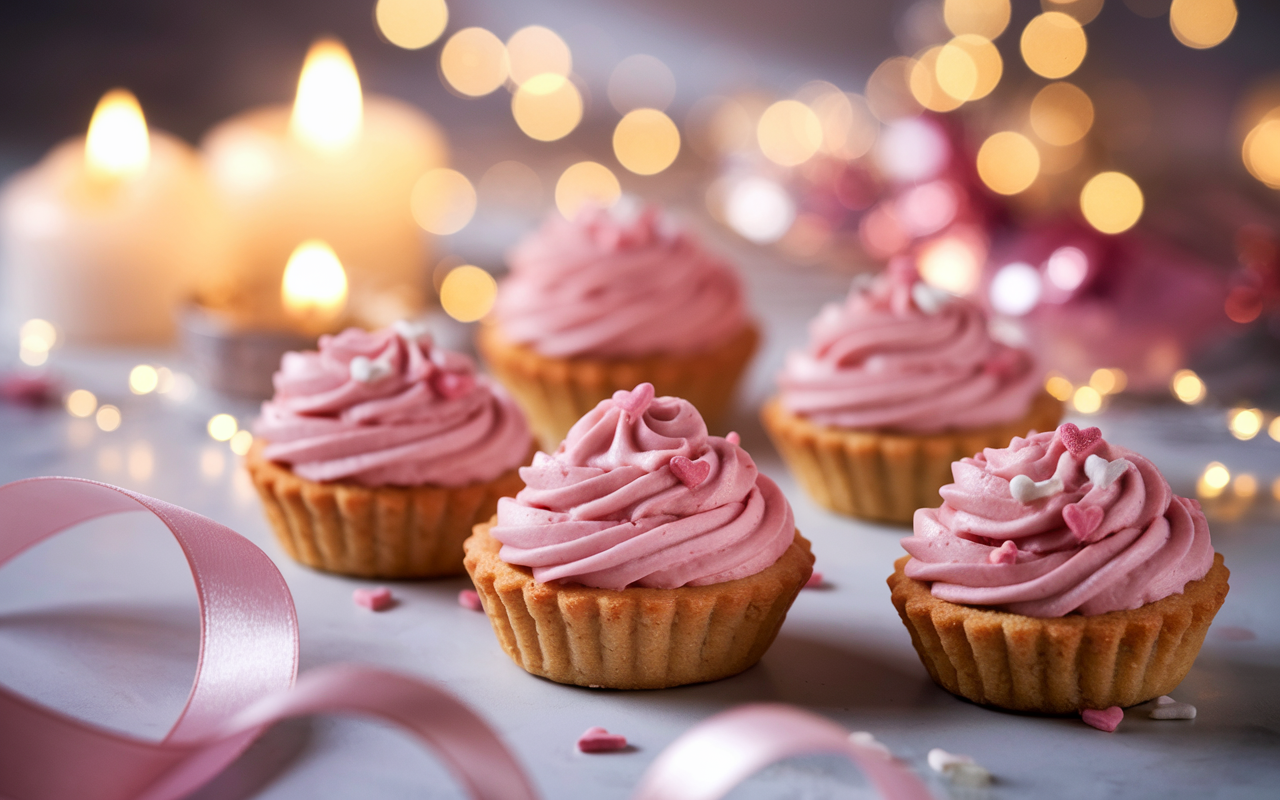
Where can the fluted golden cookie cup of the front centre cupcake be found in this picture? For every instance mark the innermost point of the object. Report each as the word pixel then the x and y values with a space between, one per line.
pixel 634 638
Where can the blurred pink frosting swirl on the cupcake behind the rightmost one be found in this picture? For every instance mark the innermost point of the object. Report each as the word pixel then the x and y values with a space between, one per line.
pixel 902 355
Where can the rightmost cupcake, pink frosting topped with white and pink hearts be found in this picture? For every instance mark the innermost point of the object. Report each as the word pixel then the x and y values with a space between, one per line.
pixel 1060 574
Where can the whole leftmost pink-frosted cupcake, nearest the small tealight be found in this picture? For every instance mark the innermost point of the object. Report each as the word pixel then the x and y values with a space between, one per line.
pixel 380 452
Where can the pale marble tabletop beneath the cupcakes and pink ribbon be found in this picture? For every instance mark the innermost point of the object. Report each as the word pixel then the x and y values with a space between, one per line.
pixel 102 623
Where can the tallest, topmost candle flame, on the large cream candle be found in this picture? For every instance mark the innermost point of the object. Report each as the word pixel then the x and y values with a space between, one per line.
pixel 328 109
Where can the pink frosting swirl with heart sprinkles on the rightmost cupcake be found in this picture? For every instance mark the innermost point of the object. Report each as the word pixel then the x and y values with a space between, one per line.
pixel 1098 529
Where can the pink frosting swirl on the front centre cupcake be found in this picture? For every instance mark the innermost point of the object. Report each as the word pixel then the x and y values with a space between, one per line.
pixel 638 495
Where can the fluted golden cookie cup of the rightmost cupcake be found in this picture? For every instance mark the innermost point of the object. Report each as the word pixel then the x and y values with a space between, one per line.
pixel 1059 665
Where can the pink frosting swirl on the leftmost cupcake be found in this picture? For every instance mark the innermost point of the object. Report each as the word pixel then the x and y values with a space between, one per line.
pixel 390 409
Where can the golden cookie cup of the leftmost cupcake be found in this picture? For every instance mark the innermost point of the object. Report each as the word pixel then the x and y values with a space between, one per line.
pixel 374 532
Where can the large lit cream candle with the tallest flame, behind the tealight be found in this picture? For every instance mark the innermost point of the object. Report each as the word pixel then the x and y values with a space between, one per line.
pixel 336 167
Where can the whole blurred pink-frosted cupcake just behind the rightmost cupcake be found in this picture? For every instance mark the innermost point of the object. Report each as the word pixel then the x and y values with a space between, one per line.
pixel 898 383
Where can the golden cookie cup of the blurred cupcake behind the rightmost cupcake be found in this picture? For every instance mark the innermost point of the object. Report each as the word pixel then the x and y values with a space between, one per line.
pixel 885 476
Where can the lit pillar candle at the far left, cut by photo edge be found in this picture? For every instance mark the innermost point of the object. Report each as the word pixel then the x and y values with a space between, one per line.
pixel 106 236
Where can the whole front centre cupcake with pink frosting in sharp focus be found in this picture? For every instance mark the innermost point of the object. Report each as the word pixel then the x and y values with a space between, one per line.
pixel 643 554
